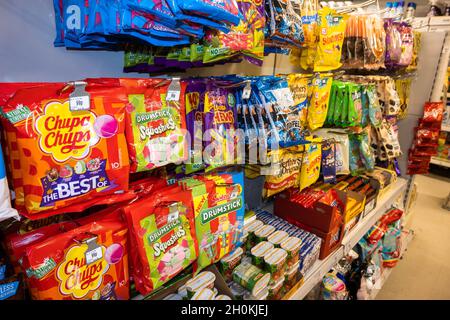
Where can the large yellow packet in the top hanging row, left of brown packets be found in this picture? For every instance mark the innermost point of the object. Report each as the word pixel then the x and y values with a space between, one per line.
pixel 331 37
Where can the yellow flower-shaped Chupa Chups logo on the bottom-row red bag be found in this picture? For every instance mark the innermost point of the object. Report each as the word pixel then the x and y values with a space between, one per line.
pixel 76 277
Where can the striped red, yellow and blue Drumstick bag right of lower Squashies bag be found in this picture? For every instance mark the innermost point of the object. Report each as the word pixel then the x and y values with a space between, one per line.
pixel 219 214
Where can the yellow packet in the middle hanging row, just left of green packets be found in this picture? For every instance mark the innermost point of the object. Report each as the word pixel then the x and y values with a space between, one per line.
pixel 317 111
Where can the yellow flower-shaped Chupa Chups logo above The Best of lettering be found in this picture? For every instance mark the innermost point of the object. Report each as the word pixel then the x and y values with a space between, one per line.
pixel 64 134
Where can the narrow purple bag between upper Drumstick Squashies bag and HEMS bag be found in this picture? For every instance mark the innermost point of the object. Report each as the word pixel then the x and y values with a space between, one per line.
pixel 195 98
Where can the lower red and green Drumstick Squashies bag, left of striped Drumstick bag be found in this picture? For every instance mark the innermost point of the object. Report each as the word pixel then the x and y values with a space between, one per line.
pixel 163 234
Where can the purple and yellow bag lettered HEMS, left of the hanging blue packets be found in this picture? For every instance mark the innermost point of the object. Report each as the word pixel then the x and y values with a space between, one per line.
pixel 219 120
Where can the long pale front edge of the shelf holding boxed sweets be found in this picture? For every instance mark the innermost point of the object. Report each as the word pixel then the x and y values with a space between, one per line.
pixel 321 267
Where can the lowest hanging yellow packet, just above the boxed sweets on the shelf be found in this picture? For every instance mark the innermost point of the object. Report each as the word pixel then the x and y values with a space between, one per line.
pixel 311 161
